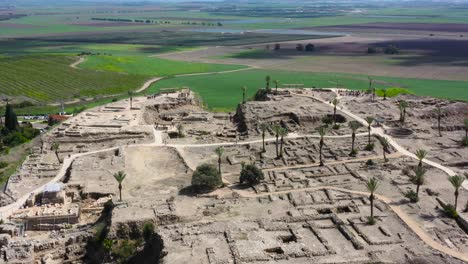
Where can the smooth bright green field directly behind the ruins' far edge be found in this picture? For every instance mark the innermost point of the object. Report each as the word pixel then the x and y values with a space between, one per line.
pixel 222 92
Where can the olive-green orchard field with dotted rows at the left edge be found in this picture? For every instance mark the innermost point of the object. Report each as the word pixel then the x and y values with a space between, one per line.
pixel 49 78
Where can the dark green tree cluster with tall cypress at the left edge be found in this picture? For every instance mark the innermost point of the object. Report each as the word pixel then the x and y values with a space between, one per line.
pixel 12 133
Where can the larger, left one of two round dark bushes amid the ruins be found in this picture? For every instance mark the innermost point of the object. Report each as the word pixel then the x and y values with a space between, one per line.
pixel 206 177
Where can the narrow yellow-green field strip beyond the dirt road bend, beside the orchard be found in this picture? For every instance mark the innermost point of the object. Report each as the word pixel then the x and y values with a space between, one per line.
pixel 151 66
